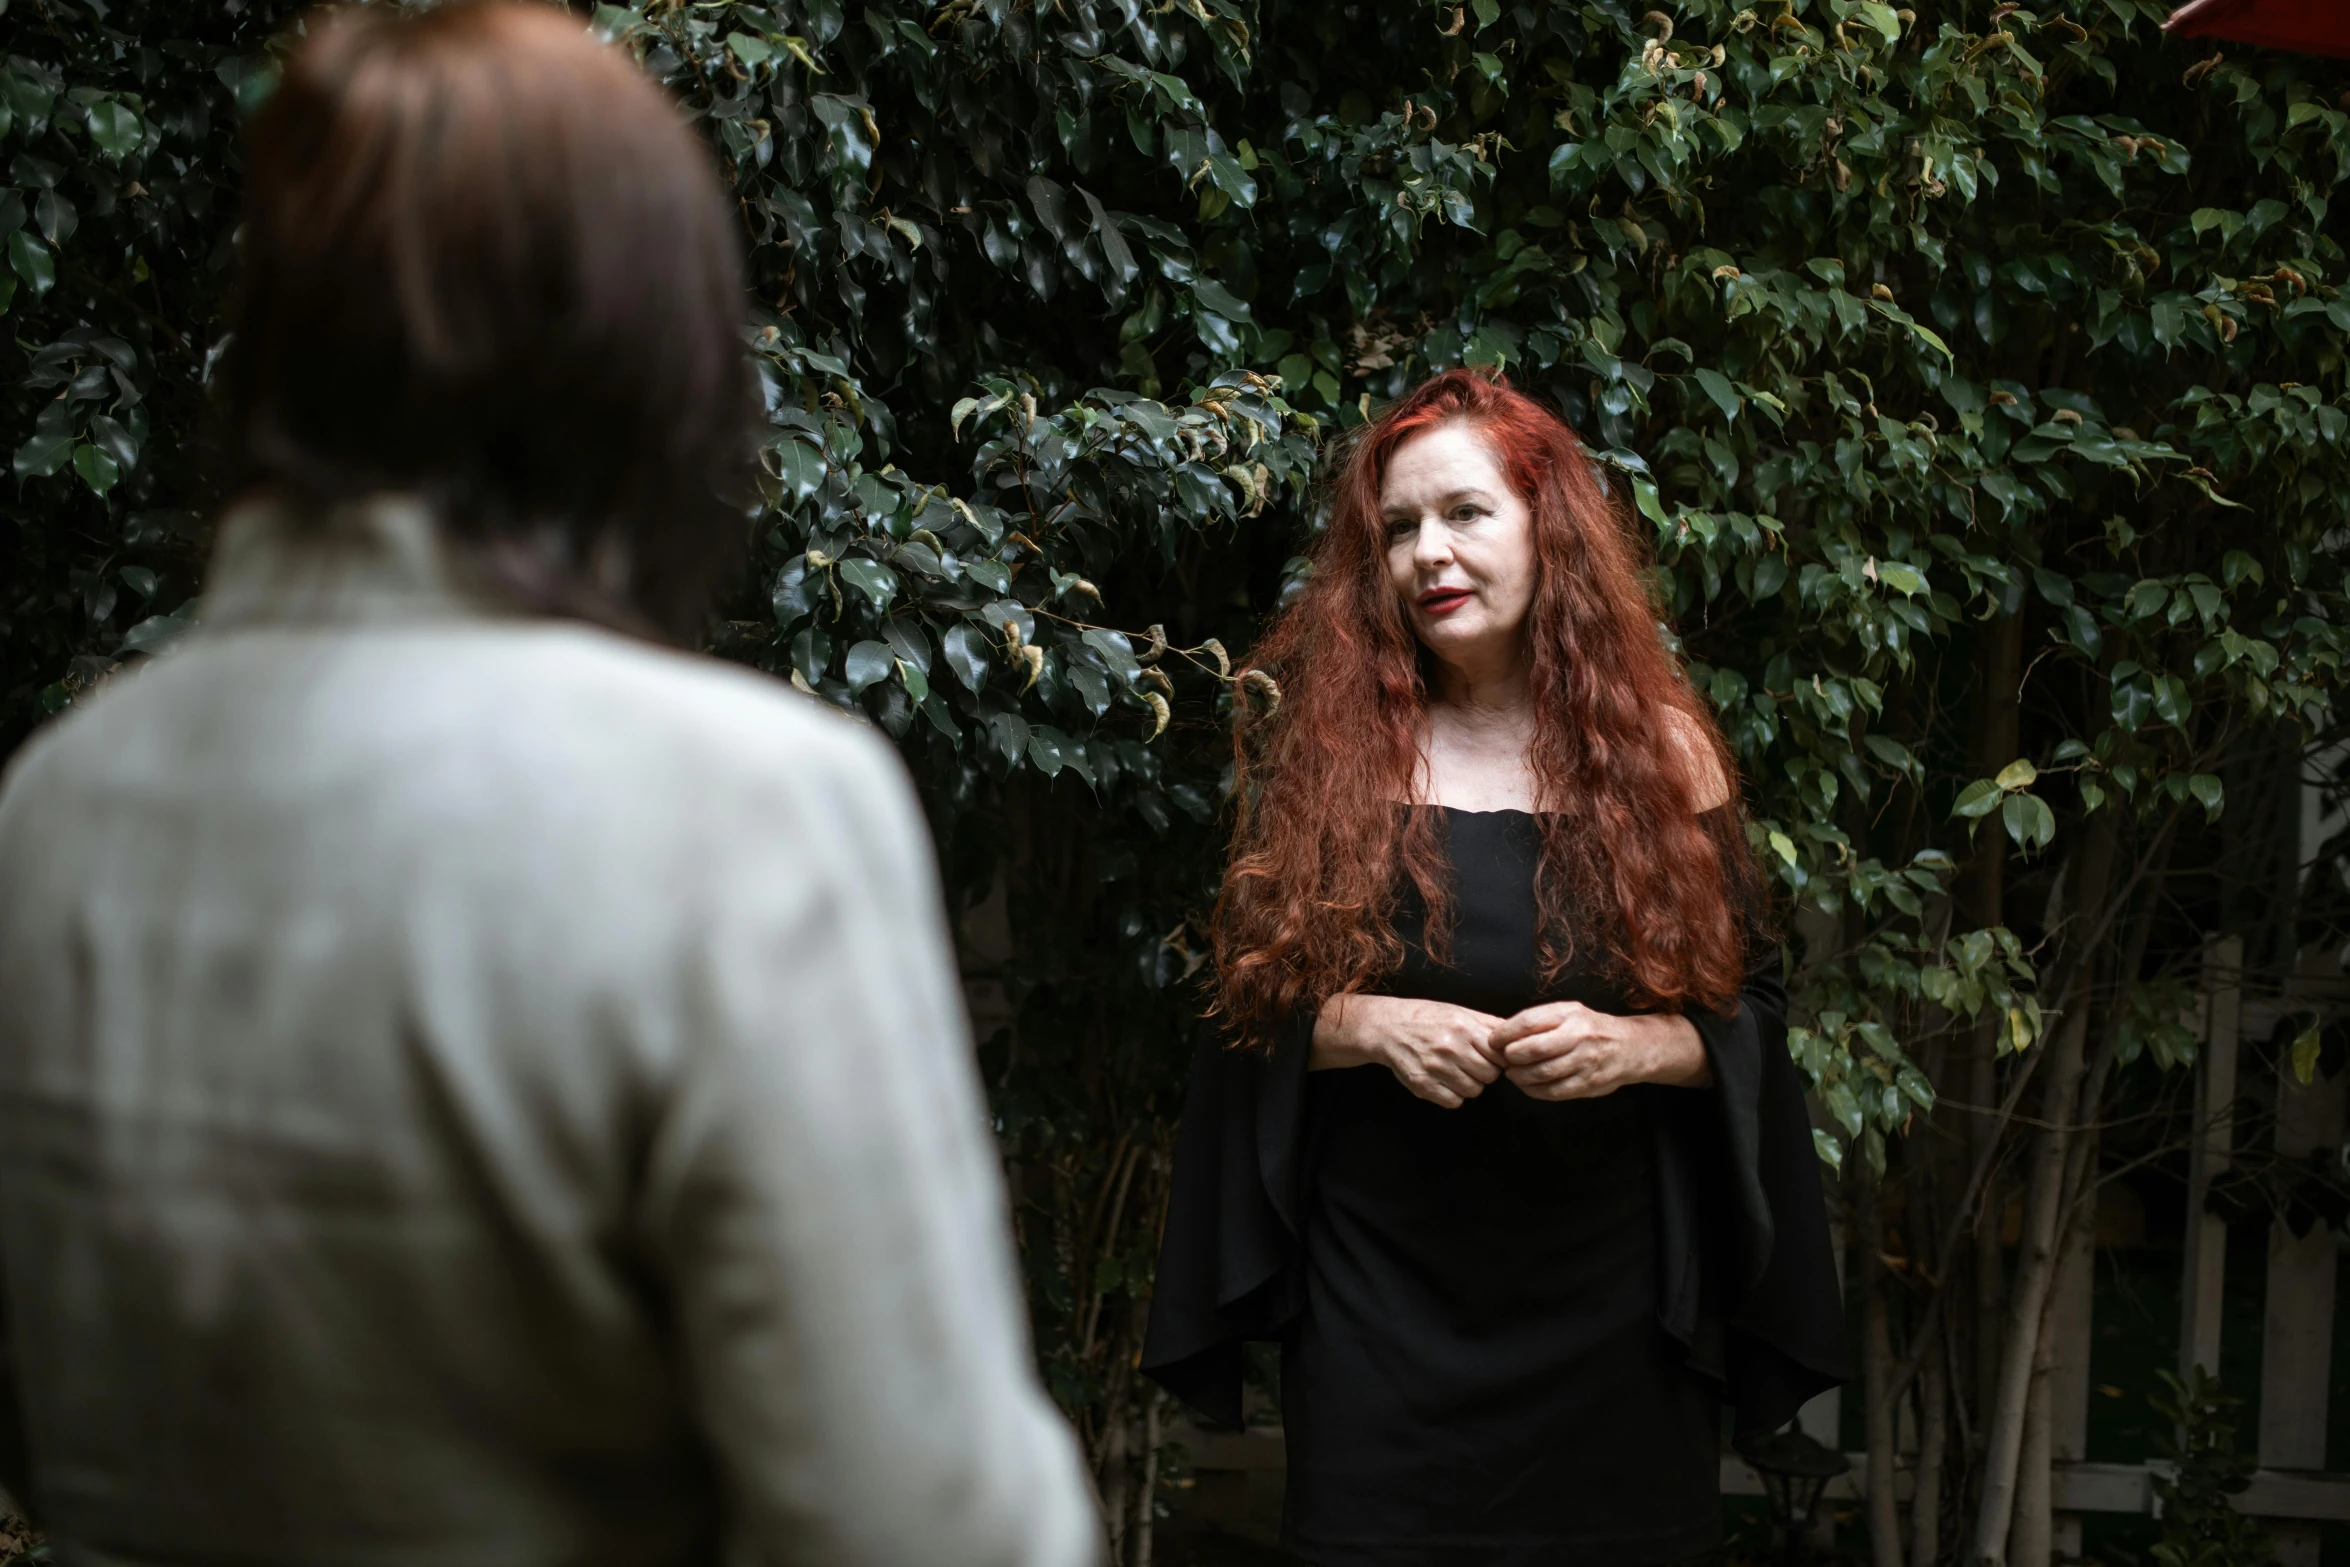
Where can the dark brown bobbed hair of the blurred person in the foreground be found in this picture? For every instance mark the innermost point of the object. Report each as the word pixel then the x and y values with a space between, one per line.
pixel 485 262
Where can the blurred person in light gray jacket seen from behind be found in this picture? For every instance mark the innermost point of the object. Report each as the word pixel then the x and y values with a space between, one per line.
pixel 478 1087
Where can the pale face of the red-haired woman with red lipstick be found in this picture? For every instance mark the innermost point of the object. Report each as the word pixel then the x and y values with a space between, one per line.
pixel 1461 546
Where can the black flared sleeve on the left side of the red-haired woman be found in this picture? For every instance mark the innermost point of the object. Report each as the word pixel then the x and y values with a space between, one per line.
pixel 1228 1265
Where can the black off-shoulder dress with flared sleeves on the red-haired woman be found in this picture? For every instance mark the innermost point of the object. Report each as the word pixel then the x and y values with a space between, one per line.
pixel 1508 1331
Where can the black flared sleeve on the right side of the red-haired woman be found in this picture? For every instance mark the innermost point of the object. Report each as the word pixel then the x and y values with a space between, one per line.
pixel 1747 1267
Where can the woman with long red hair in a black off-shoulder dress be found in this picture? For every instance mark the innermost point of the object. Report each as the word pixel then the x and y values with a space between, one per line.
pixel 1500 1138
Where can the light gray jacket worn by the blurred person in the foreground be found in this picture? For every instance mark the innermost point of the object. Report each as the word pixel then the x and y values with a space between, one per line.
pixel 490 1091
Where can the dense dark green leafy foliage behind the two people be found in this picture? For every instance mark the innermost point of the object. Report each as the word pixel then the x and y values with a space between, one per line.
pixel 1975 368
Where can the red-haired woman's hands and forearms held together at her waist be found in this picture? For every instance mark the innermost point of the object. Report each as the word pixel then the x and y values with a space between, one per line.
pixel 1555 1051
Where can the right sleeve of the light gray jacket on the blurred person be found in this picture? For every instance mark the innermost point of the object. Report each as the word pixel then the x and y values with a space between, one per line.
pixel 831 1218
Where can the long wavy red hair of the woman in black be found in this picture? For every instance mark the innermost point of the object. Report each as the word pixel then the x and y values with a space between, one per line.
pixel 1620 753
